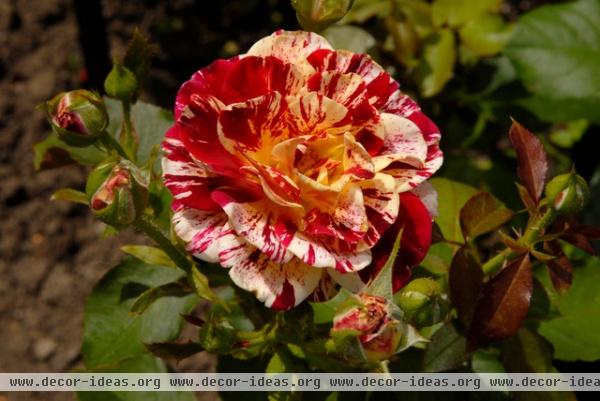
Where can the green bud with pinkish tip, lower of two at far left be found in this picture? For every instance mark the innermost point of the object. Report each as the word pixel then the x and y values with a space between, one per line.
pixel 118 193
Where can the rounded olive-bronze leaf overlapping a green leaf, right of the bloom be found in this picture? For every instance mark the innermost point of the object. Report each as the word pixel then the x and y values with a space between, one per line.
pixel 481 214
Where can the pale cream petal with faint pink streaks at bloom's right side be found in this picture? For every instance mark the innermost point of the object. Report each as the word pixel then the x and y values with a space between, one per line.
pixel 403 142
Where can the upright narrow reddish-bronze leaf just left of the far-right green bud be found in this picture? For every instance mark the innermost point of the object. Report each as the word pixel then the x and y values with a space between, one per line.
pixel 531 158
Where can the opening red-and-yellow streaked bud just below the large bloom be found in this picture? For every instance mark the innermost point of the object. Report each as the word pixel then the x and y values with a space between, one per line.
pixel 379 332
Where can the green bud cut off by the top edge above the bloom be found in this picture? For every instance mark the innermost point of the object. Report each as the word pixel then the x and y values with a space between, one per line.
pixel 316 15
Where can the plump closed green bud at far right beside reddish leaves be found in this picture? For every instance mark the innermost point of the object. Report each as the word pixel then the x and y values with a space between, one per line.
pixel 567 193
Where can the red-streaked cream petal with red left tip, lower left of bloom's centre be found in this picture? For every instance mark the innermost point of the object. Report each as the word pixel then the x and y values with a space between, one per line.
pixel 254 222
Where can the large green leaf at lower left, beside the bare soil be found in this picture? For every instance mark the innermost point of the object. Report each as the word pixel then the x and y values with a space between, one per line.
pixel 111 332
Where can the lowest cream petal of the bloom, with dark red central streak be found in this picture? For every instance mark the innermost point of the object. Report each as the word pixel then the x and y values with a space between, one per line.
pixel 280 286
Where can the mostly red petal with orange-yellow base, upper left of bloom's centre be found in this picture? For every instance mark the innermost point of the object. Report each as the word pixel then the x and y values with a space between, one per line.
pixel 250 129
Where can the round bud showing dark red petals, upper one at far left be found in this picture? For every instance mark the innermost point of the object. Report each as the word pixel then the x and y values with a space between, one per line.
pixel 79 117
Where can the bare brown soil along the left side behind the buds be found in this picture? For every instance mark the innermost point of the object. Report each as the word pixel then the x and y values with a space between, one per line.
pixel 50 255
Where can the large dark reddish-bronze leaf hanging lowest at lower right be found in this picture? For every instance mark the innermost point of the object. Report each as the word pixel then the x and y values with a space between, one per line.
pixel 503 304
